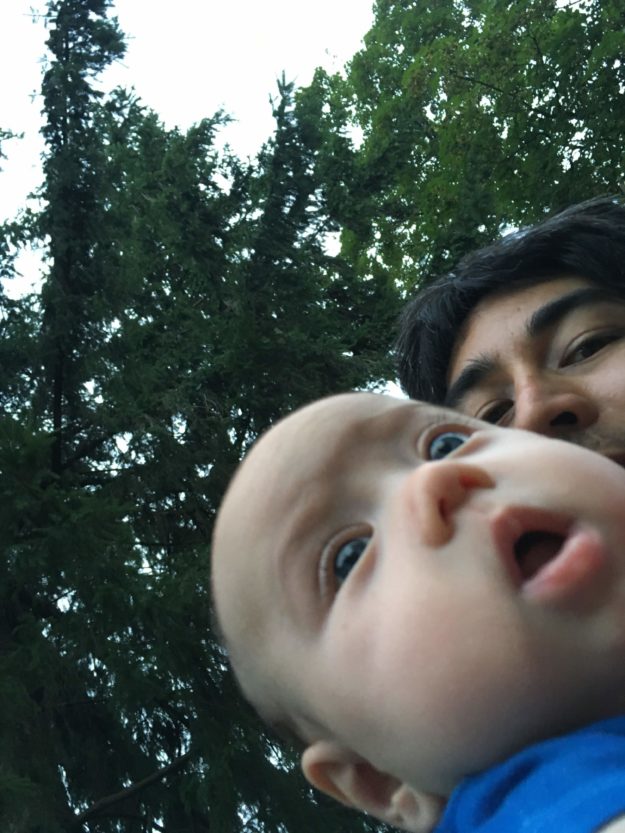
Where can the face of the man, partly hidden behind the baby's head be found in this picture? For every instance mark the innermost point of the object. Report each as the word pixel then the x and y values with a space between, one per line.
pixel 549 358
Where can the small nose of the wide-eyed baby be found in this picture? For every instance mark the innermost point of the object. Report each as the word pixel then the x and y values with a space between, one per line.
pixel 435 491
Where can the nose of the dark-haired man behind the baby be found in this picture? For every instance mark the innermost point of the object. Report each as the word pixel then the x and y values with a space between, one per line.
pixel 553 408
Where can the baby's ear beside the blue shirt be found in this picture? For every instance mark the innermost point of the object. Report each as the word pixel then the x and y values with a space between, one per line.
pixel 350 779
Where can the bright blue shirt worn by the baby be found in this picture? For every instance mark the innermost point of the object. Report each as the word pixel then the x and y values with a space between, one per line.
pixel 570 784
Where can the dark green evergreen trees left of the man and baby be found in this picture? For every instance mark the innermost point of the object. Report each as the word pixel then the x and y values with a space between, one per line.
pixel 188 301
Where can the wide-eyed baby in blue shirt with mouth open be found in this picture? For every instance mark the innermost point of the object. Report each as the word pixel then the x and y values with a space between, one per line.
pixel 416 597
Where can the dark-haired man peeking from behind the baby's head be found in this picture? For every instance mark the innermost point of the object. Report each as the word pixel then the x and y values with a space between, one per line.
pixel 530 331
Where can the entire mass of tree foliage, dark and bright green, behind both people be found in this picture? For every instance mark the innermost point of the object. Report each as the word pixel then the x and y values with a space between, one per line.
pixel 189 300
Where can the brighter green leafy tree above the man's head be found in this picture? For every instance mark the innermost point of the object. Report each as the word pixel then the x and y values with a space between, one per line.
pixel 474 116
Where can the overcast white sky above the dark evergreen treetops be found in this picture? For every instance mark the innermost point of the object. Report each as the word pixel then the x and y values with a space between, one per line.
pixel 185 59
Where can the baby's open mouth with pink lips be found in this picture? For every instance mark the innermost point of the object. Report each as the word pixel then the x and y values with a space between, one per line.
pixel 546 554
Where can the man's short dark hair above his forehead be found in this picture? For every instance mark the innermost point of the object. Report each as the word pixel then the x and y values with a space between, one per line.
pixel 585 240
